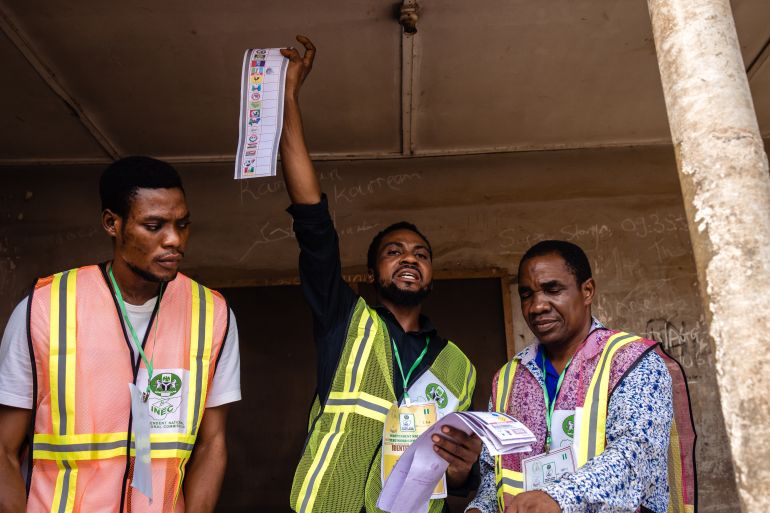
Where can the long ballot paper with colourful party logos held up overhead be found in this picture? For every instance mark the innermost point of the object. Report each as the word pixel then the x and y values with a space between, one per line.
pixel 262 86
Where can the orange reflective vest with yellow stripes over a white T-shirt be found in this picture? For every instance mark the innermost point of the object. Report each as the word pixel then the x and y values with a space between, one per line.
pixel 82 451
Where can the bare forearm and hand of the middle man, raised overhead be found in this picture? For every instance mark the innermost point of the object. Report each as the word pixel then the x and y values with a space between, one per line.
pixel 298 172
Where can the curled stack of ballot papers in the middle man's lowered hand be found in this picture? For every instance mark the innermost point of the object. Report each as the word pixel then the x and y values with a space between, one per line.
pixel 411 482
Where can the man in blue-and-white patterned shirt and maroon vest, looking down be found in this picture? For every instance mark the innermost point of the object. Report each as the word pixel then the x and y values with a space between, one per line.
pixel 548 384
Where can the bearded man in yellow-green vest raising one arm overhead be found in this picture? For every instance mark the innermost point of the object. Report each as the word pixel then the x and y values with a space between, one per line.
pixel 369 357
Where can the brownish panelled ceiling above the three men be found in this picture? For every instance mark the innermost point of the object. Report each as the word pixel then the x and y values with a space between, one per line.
pixel 162 78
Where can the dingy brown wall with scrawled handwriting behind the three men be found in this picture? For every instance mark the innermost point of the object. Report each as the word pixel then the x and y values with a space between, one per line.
pixel 623 206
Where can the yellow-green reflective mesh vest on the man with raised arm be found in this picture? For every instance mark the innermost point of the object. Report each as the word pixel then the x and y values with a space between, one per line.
pixel 339 471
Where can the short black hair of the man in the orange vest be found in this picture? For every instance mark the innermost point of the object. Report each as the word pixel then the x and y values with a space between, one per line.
pixel 122 178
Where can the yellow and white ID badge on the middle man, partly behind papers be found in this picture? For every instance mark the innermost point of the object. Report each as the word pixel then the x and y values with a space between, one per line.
pixel 402 427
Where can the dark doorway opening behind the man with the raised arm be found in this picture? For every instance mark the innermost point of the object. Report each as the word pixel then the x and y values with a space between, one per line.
pixel 268 427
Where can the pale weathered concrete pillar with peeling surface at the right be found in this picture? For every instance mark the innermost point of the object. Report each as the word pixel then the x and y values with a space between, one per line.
pixel 723 170
